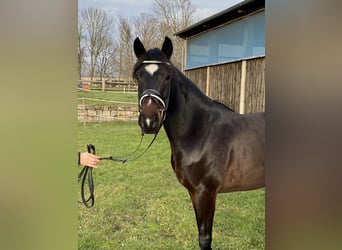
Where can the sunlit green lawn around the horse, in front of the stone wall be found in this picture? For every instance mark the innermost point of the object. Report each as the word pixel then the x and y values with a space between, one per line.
pixel 141 205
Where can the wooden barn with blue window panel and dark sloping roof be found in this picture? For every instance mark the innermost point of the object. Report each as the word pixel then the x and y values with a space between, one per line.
pixel 225 55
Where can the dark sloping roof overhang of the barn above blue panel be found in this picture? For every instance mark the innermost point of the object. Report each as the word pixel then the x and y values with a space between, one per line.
pixel 235 12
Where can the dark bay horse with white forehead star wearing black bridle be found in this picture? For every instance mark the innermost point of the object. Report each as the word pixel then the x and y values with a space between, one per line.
pixel 213 149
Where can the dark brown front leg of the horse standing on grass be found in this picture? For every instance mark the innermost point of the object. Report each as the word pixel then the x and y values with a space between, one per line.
pixel 204 205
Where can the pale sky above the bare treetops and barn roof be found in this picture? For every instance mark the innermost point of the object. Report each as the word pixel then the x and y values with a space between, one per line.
pixel 131 8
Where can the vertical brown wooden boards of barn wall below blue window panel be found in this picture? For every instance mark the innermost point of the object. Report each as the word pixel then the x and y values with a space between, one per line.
pixel 240 84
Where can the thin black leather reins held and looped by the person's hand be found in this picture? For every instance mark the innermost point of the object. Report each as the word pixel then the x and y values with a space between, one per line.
pixel 87 171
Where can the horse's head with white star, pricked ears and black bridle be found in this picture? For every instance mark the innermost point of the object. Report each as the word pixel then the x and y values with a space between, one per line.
pixel 153 73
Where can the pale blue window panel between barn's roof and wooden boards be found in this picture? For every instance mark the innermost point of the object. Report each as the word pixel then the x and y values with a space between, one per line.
pixel 241 39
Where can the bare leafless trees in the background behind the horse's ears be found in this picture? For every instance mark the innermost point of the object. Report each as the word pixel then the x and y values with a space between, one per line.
pixel 105 47
